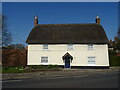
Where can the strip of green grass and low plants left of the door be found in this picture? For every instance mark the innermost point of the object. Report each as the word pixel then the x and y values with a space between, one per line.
pixel 31 68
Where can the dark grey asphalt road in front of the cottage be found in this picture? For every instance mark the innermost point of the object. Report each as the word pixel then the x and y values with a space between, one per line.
pixel 98 80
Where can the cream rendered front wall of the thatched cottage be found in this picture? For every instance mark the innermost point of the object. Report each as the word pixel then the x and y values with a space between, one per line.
pixel 80 54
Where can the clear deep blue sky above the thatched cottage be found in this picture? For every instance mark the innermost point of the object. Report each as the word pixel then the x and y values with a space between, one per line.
pixel 20 16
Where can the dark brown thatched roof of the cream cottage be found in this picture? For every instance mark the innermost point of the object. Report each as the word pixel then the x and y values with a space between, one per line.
pixel 67 34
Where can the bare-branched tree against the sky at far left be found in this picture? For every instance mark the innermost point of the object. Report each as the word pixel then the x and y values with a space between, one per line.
pixel 6 35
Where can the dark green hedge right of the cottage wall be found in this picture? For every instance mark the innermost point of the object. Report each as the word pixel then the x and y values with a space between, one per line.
pixel 114 60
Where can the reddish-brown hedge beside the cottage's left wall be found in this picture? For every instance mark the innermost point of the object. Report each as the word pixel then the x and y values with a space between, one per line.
pixel 14 57
